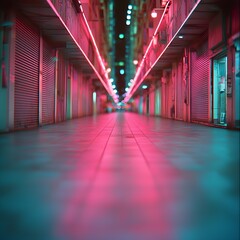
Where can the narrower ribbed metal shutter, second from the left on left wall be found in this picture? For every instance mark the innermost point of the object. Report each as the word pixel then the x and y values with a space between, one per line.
pixel 48 84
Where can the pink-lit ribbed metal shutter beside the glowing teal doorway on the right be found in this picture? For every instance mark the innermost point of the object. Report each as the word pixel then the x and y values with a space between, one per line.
pixel 199 84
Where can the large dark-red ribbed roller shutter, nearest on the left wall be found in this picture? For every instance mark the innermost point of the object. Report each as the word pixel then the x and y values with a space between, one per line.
pixel 26 75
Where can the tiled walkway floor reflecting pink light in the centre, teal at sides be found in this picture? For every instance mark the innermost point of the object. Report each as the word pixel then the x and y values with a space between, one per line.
pixel 120 176
